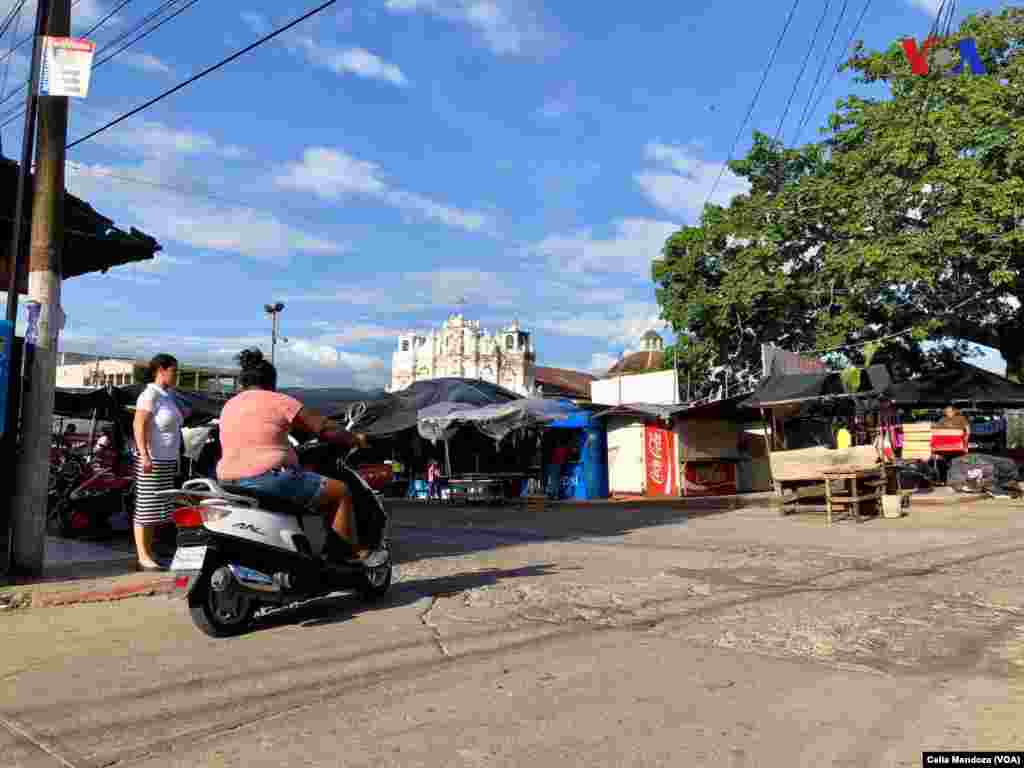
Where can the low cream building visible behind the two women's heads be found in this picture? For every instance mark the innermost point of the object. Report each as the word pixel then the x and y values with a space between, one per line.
pixel 83 372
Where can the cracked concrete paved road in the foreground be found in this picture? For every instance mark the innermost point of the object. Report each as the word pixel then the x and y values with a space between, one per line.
pixel 602 638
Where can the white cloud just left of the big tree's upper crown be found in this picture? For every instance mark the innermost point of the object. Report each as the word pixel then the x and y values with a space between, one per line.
pixel 684 181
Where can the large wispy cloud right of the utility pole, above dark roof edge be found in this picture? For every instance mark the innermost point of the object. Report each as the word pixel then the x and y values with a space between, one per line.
pixel 173 217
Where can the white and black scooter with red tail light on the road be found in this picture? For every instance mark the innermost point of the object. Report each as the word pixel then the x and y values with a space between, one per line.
pixel 240 551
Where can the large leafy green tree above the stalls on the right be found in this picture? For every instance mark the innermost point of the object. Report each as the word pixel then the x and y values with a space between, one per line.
pixel 906 220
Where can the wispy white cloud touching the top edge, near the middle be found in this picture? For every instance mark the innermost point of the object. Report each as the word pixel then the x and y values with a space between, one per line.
pixel 506 27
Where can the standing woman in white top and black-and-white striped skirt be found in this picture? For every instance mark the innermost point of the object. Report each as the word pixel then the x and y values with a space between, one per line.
pixel 158 441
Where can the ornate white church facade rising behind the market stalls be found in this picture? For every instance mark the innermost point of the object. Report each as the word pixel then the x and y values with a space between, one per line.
pixel 462 349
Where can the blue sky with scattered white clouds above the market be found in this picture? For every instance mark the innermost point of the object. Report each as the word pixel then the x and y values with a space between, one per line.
pixel 391 162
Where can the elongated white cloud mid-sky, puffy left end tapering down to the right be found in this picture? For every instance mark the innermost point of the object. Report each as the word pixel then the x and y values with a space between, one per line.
pixel 333 175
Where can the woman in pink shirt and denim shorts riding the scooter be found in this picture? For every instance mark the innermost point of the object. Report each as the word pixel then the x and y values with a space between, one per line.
pixel 257 454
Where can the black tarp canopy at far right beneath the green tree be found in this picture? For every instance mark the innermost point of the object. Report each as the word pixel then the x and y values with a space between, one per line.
pixel 958 383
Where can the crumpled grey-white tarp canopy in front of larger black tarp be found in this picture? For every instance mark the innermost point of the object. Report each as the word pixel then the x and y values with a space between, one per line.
pixel 440 422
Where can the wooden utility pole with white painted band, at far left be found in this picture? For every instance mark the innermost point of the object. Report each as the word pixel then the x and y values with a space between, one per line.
pixel 46 253
